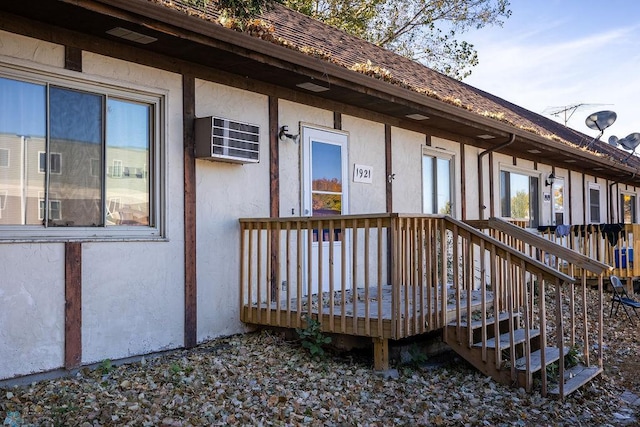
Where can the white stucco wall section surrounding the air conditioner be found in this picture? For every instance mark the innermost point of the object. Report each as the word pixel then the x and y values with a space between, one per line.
pixel 226 192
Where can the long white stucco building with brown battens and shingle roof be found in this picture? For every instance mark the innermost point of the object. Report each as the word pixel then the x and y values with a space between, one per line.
pixel 119 231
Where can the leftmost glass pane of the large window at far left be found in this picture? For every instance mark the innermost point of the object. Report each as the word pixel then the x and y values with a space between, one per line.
pixel 22 135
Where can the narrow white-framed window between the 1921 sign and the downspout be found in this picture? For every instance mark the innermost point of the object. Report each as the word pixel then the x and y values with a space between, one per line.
pixel 437 184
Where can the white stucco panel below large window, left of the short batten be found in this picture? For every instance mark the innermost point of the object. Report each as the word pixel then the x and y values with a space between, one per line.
pixel 31 308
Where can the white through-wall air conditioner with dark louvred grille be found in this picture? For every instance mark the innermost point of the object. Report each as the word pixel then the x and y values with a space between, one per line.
pixel 227 141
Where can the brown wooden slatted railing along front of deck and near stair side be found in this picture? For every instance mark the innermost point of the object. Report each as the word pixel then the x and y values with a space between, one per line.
pixel 390 276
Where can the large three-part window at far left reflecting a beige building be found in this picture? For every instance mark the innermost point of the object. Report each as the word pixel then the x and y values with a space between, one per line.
pixel 74 141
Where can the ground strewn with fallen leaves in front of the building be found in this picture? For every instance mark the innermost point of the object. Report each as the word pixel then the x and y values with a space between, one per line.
pixel 262 379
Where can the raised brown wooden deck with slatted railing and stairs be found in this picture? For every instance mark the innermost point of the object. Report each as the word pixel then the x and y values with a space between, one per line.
pixel 425 273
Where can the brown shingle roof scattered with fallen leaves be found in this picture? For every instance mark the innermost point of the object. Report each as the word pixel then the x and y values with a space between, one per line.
pixel 302 32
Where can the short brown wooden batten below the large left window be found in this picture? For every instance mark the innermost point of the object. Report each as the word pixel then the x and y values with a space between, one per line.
pixel 73 305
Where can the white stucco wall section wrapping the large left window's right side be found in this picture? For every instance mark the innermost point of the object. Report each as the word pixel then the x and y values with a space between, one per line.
pixel 133 292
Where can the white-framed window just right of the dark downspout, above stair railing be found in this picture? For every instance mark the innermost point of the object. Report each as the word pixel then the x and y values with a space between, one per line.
pixel 519 197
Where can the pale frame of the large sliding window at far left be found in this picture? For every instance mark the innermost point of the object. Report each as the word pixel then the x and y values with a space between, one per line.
pixel 157 99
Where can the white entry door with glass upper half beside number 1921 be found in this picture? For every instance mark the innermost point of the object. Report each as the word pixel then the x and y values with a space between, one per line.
pixel 325 192
